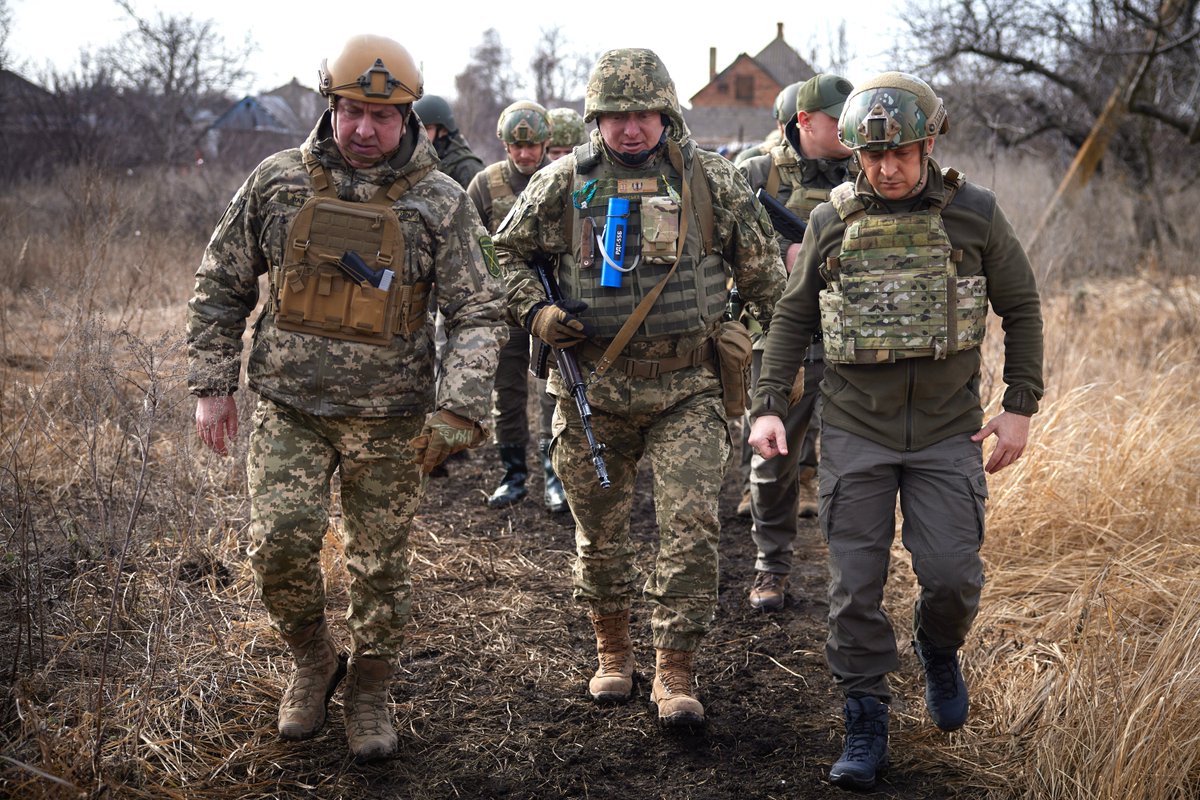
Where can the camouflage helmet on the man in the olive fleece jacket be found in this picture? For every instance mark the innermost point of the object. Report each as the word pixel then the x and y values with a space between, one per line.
pixel 891 111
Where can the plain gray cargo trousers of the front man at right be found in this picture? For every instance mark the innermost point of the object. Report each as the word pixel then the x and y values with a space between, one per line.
pixel 943 492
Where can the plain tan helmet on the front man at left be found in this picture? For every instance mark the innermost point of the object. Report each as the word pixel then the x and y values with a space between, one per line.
pixel 373 70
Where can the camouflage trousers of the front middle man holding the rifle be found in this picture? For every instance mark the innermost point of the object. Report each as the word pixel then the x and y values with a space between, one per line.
pixel 677 423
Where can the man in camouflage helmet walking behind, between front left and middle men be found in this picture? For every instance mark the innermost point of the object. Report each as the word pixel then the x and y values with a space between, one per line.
pixel 525 130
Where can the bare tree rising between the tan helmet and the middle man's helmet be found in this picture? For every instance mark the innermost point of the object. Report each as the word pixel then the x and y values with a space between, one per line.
pixel 487 86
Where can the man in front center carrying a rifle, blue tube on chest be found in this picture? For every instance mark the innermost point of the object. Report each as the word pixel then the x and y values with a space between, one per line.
pixel 692 224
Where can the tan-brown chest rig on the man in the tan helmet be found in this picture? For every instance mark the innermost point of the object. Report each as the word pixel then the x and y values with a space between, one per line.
pixel 311 293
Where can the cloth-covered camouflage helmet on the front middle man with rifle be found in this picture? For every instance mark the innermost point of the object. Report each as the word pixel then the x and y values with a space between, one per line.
pixel 633 80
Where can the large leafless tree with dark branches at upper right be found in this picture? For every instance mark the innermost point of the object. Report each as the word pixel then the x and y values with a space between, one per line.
pixel 1042 73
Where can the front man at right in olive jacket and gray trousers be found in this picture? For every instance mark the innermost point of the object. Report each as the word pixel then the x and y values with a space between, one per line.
pixel 898 272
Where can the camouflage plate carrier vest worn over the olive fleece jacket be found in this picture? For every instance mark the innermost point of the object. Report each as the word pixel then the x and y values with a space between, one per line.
pixel 893 291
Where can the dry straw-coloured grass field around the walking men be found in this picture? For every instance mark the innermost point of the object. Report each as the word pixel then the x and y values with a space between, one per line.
pixel 139 663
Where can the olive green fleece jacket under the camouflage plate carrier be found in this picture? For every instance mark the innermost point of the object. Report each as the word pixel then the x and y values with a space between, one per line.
pixel 913 404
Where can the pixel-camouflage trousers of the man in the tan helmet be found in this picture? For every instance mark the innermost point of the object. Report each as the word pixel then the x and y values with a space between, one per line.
pixel 291 465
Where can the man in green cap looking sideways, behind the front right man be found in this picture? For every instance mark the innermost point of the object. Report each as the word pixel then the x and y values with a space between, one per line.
pixel 800 175
